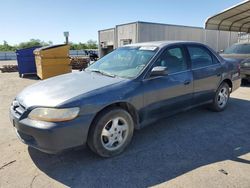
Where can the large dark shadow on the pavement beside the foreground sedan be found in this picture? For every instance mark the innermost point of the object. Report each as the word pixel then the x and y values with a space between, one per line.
pixel 160 152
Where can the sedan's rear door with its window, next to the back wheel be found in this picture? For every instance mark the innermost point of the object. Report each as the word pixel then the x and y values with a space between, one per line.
pixel 207 72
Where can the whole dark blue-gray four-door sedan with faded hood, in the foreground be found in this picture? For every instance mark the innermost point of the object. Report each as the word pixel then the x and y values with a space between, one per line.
pixel 127 89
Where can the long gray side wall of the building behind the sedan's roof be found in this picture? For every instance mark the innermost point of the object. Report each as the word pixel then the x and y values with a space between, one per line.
pixel 217 40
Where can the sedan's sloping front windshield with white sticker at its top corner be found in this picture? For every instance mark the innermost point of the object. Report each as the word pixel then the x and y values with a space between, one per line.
pixel 125 62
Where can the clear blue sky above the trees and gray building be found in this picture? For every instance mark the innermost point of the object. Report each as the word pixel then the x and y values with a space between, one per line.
pixel 22 20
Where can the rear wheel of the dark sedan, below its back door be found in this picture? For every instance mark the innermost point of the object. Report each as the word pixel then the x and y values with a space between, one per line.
pixel 221 98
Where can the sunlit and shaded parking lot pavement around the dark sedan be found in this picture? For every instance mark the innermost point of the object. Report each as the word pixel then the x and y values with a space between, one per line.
pixel 197 148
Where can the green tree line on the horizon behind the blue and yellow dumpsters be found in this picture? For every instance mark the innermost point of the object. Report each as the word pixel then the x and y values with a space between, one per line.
pixel 90 44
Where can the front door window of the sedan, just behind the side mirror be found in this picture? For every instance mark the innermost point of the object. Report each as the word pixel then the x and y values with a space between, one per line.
pixel 172 58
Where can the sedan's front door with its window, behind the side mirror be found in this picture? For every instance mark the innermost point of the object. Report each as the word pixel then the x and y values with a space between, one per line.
pixel 165 95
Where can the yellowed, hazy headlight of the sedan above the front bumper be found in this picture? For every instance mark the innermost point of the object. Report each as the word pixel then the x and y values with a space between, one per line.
pixel 53 114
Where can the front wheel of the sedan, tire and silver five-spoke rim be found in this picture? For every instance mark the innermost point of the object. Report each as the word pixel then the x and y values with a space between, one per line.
pixel 111 132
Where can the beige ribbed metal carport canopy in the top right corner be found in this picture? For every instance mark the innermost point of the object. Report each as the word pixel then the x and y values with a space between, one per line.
pixel 236 18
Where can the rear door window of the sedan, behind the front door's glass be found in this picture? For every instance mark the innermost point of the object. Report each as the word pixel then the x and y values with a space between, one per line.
pixel 200 57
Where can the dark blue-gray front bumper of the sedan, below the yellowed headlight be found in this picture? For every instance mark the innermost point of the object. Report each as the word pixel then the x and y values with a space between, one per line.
pixel 52 137
